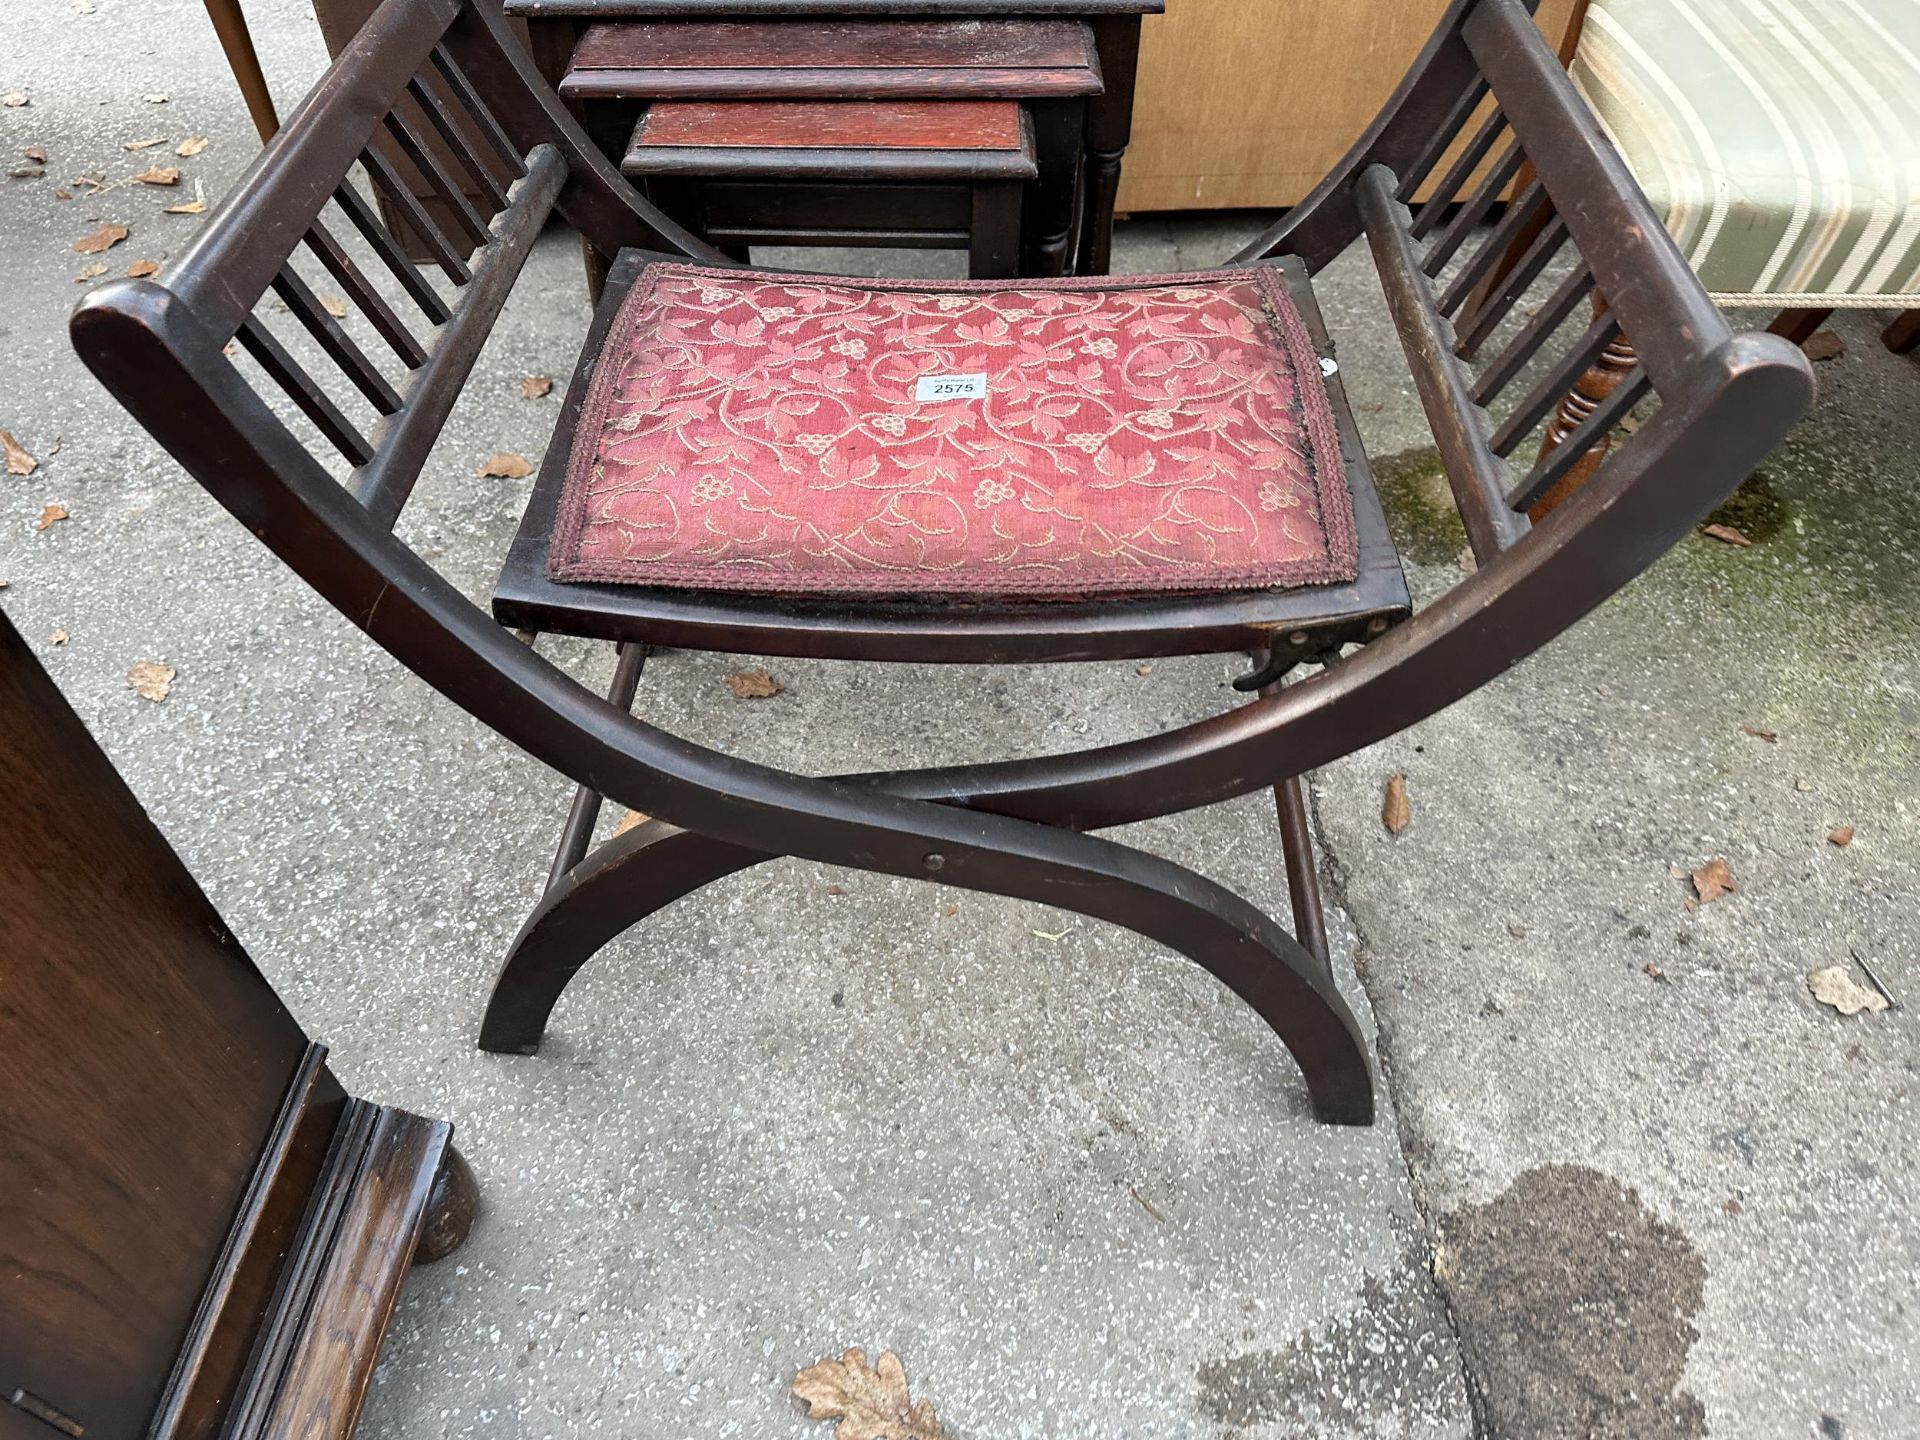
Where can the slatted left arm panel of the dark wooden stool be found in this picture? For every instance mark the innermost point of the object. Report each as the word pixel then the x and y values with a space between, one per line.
pixel 358 293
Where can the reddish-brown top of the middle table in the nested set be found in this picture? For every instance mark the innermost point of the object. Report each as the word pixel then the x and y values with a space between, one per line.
pixel 836 60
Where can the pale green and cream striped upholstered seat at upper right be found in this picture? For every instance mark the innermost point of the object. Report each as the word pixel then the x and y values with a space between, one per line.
pixel 1779 137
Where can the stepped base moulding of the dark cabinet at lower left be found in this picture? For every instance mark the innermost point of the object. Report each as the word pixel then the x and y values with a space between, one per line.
pixel 300 1299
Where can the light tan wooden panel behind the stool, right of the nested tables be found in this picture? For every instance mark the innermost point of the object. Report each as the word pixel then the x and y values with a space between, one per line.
pixel 1249 105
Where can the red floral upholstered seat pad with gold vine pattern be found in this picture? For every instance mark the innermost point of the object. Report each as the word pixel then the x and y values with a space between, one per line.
pixel 752 431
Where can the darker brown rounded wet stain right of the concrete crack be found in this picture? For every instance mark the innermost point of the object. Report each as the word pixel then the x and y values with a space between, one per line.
pixel 1575 1308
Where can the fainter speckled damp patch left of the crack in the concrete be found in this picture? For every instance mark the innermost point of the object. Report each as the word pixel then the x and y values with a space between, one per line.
pixel 1387 1358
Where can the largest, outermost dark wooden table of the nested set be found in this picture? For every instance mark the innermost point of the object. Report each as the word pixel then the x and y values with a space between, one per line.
pixel 556 26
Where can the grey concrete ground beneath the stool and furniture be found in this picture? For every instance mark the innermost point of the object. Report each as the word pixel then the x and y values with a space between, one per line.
pixel 1631 1182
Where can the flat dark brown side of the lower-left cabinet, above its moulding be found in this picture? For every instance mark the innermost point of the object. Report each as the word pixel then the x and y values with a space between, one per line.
pixel 143 1065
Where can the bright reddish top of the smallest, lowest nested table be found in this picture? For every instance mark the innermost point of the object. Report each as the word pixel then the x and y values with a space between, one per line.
pixel 775 126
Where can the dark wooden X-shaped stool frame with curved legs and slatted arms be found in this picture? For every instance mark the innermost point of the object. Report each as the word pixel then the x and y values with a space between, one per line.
pixel 1001 828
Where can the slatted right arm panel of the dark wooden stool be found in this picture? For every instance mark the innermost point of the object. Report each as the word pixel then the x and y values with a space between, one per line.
pixel 1518 316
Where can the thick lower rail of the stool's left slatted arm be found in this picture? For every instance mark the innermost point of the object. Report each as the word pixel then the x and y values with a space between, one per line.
pixel 402 444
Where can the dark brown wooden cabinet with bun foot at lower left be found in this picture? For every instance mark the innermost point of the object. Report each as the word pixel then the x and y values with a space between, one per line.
pixel 201 1232
